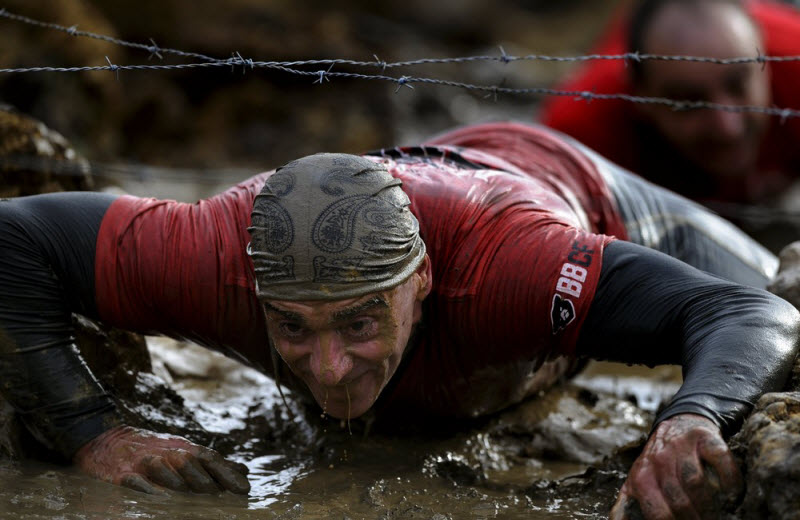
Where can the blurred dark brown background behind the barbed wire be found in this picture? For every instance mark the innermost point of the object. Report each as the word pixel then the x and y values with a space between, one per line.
pixel 187 134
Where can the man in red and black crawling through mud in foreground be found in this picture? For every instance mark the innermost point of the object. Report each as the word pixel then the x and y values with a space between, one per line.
pixel 444 280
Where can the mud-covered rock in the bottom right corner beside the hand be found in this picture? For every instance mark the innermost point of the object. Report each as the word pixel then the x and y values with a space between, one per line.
pixel 770 441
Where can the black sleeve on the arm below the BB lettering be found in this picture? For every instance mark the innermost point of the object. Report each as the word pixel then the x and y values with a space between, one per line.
pixel 734 342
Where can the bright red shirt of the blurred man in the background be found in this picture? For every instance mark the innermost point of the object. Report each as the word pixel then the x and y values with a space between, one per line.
pixel 613 128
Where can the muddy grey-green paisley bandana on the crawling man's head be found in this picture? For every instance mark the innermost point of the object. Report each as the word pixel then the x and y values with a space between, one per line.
pixel 330 227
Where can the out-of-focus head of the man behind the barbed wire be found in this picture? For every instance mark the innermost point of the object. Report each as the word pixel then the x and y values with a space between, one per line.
pixel 724 144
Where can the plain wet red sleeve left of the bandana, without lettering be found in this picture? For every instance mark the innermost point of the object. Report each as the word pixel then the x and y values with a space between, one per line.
pixel 182 269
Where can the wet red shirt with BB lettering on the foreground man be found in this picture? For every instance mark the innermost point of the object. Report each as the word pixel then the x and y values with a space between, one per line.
pixel 515 263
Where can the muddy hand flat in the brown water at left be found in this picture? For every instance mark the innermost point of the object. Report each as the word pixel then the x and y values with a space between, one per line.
pixel 152 463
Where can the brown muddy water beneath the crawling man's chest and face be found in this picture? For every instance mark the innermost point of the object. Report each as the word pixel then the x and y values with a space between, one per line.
pixel 544 459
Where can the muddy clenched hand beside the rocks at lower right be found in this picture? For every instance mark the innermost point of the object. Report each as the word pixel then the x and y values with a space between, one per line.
pixel 685 471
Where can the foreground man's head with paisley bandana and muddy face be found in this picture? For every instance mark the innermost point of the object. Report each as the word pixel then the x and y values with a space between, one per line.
pixel 341 272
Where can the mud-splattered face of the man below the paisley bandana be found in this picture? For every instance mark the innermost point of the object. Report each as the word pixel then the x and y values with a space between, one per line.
pixel 347 350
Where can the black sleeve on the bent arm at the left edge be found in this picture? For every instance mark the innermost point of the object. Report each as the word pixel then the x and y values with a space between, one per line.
pixel 47 252
